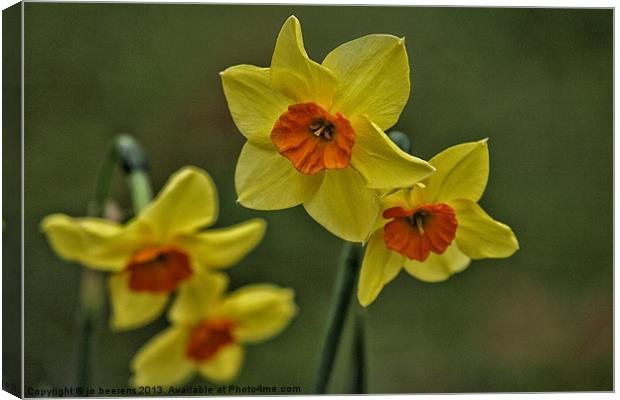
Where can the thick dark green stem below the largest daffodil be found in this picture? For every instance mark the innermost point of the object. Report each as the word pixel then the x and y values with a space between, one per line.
pixel 345 282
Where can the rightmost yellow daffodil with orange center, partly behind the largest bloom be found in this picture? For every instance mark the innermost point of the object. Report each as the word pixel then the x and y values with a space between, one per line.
pixel 436 228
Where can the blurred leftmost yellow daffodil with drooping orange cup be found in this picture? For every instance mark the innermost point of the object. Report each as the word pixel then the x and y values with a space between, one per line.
pixel 161 250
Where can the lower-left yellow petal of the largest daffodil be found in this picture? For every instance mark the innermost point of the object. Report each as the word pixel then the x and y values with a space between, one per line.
pixel 265 180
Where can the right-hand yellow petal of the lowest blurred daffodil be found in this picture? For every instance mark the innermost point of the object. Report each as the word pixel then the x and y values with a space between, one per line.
pixel 260 311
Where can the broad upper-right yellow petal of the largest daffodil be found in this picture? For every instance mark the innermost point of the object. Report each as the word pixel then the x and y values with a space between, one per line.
pixel 373 78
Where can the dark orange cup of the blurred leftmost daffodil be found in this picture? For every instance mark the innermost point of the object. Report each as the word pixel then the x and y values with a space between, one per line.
pixel 158 269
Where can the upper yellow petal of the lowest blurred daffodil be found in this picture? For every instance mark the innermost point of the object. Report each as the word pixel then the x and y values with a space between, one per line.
pixel 197 297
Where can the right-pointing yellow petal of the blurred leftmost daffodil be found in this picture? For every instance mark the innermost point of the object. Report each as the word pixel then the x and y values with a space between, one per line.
pixel 217 248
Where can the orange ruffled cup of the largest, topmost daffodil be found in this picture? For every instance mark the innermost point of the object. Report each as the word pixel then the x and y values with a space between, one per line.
pixel 313 139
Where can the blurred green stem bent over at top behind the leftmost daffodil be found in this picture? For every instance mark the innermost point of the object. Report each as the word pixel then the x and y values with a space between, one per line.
pixel 124 151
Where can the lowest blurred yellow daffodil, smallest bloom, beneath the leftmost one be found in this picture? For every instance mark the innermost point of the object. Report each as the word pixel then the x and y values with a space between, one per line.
pixel 208 329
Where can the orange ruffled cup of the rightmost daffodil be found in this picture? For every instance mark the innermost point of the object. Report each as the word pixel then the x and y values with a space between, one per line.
pixel 415 233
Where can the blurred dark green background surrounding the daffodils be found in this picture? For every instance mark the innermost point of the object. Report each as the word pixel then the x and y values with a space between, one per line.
pixel 537 82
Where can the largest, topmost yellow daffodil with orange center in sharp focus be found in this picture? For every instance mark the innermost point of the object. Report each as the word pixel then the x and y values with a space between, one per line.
pixel 315 132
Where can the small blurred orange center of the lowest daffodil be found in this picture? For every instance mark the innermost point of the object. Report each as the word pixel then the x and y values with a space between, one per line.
pixel 208 338
